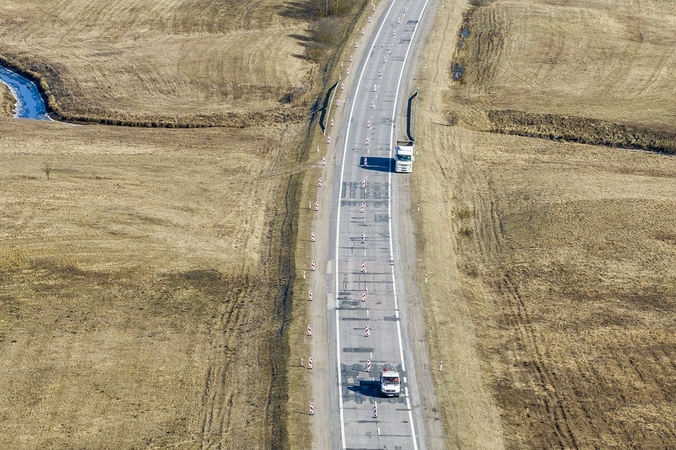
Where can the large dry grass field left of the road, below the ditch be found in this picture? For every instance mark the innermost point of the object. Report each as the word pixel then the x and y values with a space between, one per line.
pixel 141 286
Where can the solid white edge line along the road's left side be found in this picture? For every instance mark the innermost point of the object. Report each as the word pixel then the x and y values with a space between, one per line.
pixel 340 200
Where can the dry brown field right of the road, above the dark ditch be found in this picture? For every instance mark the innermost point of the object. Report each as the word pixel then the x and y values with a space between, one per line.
pixel 601 60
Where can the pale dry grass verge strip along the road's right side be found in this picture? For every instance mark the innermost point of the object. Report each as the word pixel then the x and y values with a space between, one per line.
pixel 468 412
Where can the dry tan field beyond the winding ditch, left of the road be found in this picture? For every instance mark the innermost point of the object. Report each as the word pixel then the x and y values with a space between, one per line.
pixel 173 61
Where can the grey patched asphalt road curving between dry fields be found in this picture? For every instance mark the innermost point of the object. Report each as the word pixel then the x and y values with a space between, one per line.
pixel 363 247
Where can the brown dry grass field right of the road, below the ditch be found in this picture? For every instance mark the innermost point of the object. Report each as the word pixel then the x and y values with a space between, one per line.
pixel 582 278
